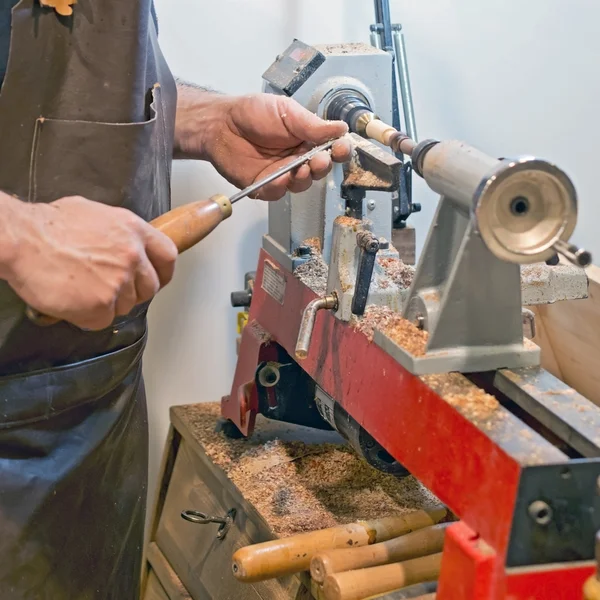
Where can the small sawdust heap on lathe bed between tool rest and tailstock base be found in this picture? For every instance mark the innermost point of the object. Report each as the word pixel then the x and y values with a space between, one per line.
pixel 391 323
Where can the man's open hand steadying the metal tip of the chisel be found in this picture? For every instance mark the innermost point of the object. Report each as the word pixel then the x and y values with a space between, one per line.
pixel 248 137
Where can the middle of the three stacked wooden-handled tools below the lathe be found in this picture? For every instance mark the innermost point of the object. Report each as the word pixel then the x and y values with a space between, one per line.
pixel 412 545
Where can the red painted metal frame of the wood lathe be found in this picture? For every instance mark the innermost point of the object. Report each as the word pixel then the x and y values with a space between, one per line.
pixel 466 470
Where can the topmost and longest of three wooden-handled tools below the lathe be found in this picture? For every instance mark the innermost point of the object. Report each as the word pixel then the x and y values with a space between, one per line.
pixel 280 557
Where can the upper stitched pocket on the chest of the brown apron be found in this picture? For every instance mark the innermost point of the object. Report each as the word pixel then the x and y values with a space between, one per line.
pixel 119 164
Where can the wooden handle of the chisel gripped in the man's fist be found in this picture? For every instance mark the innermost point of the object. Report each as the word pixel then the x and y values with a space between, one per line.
pixel 186 226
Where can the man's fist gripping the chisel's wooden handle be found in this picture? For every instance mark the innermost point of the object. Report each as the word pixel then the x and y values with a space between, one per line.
pixel 82 261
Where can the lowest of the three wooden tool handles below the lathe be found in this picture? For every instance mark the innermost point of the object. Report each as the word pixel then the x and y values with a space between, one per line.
pixel 366 583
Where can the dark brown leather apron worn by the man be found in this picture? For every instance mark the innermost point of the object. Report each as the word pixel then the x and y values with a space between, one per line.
pixel 87 108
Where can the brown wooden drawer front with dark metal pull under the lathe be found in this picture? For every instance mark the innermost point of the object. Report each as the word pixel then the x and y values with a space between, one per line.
pixel 202 561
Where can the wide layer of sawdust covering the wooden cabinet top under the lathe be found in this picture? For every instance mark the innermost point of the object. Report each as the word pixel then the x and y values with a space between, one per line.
pixel 298 486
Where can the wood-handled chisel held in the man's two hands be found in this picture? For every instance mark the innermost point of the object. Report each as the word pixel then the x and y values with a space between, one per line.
pixel 189 224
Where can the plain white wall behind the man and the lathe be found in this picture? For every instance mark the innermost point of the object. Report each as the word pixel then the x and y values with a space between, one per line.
pixel 510 77
